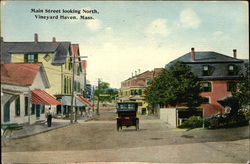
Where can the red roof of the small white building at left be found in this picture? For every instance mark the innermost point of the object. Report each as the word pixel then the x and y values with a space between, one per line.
pixel 20 73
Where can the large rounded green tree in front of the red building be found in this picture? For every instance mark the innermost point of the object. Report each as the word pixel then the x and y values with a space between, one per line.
pixel 174 86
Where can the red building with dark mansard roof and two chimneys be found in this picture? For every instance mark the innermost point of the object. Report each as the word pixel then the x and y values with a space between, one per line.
pixel 217 73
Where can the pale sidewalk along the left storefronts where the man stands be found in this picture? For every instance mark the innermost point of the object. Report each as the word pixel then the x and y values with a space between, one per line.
pixel 40 127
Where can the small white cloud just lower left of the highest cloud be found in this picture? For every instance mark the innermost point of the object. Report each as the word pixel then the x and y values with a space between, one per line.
pixel 159 27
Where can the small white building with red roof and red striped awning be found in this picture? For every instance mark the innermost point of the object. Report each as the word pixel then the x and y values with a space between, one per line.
pixel 23 99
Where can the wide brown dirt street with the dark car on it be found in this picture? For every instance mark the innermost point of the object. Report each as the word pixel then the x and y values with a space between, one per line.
pixel 98 141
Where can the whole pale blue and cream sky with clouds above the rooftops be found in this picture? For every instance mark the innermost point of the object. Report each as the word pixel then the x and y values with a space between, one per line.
pixel 128 36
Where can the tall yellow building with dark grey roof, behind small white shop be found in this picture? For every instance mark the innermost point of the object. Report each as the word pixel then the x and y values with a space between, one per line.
pixel 57 59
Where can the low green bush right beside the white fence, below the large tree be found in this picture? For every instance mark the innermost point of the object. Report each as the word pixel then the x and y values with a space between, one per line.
pixel 192 122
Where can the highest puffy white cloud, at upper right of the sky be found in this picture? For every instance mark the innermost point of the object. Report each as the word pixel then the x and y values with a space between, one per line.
pixel 189 19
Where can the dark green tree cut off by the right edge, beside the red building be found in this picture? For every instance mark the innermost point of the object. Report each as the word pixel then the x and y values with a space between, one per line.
pixel 242 90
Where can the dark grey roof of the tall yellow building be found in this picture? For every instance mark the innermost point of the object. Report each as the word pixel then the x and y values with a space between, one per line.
pixel 59 48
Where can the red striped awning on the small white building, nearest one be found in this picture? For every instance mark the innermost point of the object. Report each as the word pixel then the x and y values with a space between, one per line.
pixel 41 97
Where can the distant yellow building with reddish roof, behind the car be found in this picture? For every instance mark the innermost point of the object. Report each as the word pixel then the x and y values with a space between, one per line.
pixel 132 89
